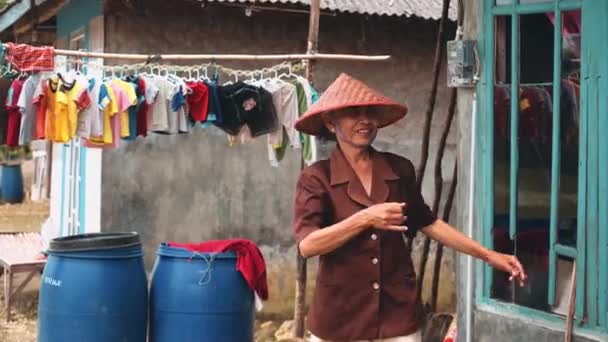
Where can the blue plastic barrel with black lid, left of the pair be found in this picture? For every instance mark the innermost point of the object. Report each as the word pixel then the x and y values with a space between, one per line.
pixel 94 289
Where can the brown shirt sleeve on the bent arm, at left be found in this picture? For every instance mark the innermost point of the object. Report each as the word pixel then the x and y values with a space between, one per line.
pixel 311 206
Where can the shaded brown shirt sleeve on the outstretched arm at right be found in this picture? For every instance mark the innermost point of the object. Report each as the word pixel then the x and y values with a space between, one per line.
pixel 419 215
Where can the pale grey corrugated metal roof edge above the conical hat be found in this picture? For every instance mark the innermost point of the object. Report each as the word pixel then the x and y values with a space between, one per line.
pixel 428 9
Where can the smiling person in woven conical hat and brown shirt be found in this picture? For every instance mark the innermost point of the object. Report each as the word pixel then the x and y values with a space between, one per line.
pixel 352 211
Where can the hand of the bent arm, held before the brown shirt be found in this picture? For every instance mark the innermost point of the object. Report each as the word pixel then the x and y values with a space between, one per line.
pixel 387 216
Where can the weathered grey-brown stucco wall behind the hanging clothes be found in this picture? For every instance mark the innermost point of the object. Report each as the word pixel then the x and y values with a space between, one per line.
pixel 195 187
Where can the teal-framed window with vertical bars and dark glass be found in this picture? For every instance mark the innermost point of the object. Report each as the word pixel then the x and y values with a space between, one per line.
pixel 541 169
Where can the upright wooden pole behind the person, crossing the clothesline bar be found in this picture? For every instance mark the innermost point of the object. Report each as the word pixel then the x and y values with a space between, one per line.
pixel 300 300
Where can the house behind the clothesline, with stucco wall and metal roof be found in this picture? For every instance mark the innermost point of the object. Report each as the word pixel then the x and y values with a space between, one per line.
pixel 195 187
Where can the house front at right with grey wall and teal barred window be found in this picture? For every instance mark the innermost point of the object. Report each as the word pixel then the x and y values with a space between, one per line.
pixel 539 189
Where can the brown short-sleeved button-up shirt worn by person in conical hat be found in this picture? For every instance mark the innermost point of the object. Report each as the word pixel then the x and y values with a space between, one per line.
pixel 365 289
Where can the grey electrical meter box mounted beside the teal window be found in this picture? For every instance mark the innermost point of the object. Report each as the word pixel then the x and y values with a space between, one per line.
pixel 461 63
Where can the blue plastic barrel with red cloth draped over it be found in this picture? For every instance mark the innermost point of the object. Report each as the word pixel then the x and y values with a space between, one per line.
pixel 199 297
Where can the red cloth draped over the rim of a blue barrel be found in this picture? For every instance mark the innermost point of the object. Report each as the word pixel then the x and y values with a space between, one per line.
pixel 249 260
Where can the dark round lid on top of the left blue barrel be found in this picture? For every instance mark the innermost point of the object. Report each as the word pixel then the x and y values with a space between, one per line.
pixel 93 241
